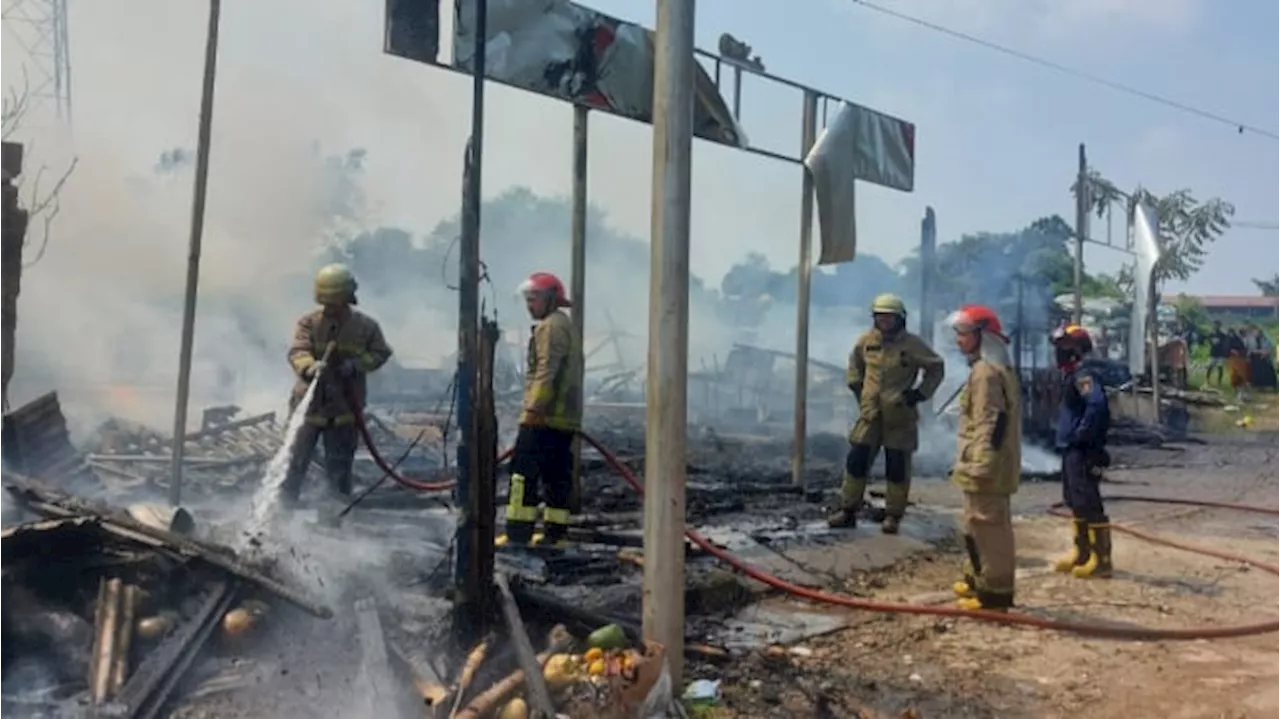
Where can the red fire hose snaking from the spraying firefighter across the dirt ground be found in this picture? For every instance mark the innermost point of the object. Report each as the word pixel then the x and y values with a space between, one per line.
pixel 1107 631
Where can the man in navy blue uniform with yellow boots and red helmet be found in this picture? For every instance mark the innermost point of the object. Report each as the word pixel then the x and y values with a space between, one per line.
pixel 1084 420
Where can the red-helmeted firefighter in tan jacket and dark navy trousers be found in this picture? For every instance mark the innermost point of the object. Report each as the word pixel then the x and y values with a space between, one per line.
pixel 542 464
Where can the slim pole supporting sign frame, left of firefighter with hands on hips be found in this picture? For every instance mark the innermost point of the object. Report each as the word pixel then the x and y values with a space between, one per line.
pixel 804 271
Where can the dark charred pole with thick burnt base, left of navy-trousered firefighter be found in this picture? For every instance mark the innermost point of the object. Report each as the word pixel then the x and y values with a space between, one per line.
pixel 474 571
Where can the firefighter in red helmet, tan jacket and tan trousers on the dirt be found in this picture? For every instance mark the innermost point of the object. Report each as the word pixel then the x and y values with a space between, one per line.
pixel 989 460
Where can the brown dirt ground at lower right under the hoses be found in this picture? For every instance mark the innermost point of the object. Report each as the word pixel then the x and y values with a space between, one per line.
pixel 895 666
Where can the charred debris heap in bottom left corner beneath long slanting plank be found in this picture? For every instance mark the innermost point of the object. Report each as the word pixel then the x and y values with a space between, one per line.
pixel 107 608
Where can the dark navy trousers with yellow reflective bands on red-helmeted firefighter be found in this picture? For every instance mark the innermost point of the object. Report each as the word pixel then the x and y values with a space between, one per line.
pixel 542 470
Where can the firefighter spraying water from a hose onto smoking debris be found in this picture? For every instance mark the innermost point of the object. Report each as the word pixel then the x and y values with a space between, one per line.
pixel 359 349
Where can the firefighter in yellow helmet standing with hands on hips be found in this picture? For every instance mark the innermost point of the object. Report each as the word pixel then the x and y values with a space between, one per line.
pixel 884 370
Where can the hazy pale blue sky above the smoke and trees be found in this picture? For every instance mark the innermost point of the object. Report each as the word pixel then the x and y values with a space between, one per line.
pixel 996 138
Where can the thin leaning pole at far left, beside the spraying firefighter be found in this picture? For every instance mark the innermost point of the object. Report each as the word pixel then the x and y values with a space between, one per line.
pixel 198 232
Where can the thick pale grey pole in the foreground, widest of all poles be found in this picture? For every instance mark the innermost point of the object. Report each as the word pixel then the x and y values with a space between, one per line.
pixel 666 402
